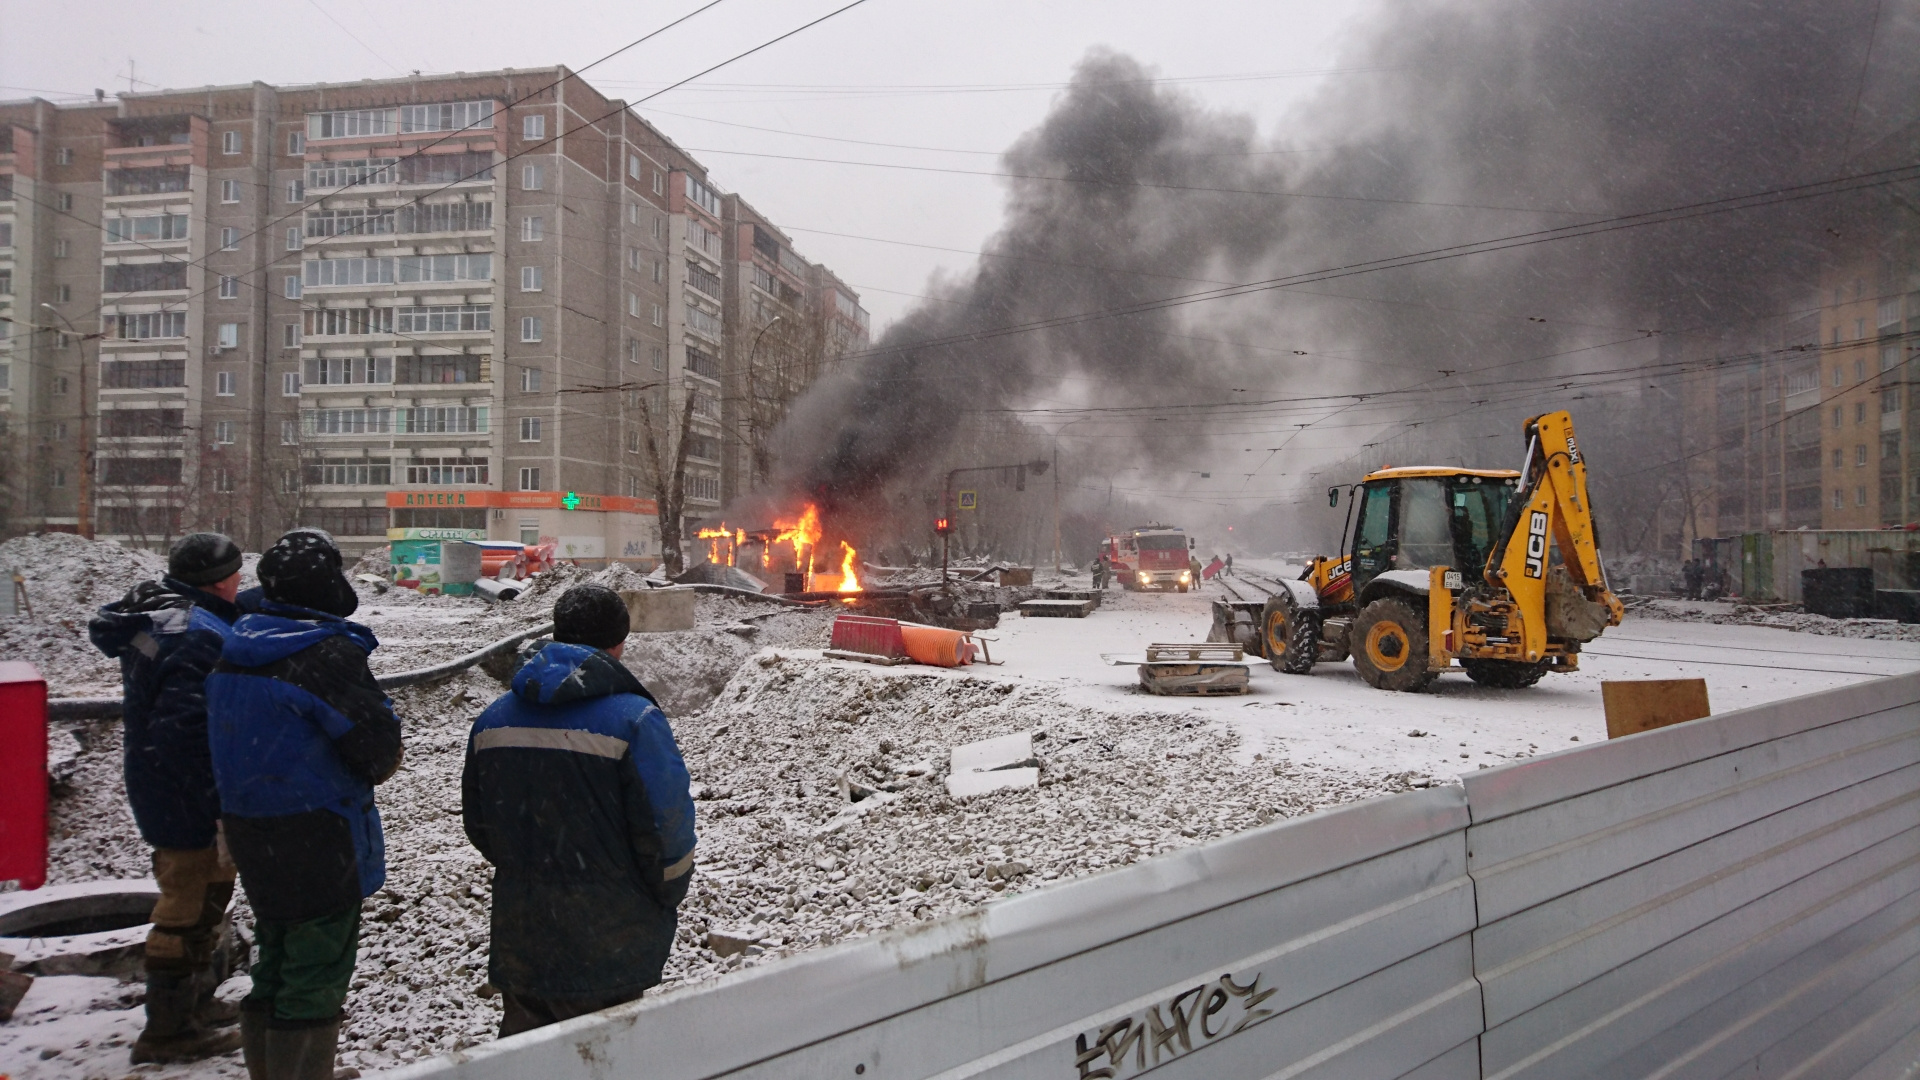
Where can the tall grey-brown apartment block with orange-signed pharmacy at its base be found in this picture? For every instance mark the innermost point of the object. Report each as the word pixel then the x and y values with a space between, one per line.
pixel 435 303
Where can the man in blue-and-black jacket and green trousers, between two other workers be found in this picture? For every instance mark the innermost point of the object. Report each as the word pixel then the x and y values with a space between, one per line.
pixel 300 737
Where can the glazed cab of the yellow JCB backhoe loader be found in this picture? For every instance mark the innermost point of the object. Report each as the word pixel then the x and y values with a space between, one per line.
pixel 1420 518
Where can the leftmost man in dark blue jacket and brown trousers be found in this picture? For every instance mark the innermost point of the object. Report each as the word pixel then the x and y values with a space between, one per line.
pixel 168 637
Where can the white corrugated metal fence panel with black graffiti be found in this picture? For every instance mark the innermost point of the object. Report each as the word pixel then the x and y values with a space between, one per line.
pixel 1330 946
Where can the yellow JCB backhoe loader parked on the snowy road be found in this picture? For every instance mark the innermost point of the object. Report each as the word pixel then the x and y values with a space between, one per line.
pixel 1489 568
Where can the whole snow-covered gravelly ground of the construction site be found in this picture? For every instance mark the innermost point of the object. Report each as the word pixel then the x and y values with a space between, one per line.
pixel 775 737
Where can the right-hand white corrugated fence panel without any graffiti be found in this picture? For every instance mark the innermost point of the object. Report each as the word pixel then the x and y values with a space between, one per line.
pixel 1731 896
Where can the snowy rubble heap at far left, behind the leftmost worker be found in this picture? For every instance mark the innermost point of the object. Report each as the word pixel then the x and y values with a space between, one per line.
pixel 68 579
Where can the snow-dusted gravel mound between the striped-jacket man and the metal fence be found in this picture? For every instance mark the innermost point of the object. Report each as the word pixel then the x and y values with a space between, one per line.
pixel 792 862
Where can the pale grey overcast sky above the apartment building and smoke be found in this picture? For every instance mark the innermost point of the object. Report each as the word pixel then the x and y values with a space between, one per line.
pixel 900 86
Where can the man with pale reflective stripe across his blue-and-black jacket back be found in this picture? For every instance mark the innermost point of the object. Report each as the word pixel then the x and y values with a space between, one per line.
pixel 577 793
